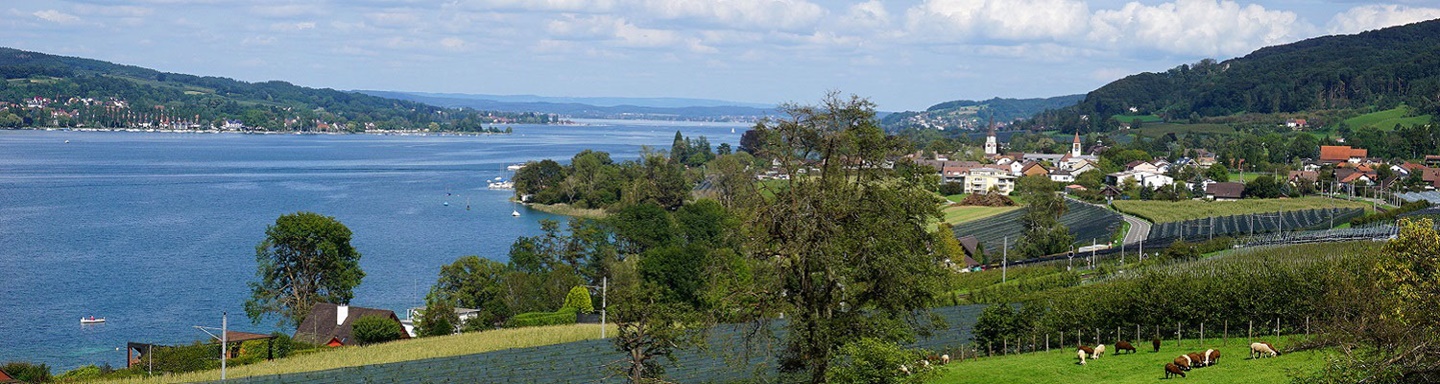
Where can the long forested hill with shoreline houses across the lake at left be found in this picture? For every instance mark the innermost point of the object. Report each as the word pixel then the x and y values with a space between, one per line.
pixel 57 91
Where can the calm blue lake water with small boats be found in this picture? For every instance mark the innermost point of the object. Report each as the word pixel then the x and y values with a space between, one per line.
pixel 158 232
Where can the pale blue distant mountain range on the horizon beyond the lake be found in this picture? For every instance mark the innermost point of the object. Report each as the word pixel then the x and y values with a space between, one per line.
pixel 639 109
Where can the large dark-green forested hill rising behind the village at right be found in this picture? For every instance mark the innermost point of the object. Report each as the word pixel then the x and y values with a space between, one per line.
pixel 1383 68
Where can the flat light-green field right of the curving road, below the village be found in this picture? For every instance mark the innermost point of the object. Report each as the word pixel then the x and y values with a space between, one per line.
pixel 1167 212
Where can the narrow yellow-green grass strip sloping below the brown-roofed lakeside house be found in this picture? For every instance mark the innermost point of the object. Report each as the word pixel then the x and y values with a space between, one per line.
pixel 407 350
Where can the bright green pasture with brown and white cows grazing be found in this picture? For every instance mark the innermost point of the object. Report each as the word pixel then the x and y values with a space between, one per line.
pixel 1143 367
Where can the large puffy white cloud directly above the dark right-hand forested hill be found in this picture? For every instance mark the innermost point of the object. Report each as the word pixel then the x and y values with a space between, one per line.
pixel 1197 28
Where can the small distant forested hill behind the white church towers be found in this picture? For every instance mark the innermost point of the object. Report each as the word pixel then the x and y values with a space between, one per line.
pixel 974 114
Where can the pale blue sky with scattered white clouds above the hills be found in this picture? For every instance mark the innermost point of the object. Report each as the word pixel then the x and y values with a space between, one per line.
pixel 902 55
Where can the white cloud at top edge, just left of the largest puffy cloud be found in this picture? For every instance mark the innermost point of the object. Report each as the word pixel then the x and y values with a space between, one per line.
pixel 999 19
